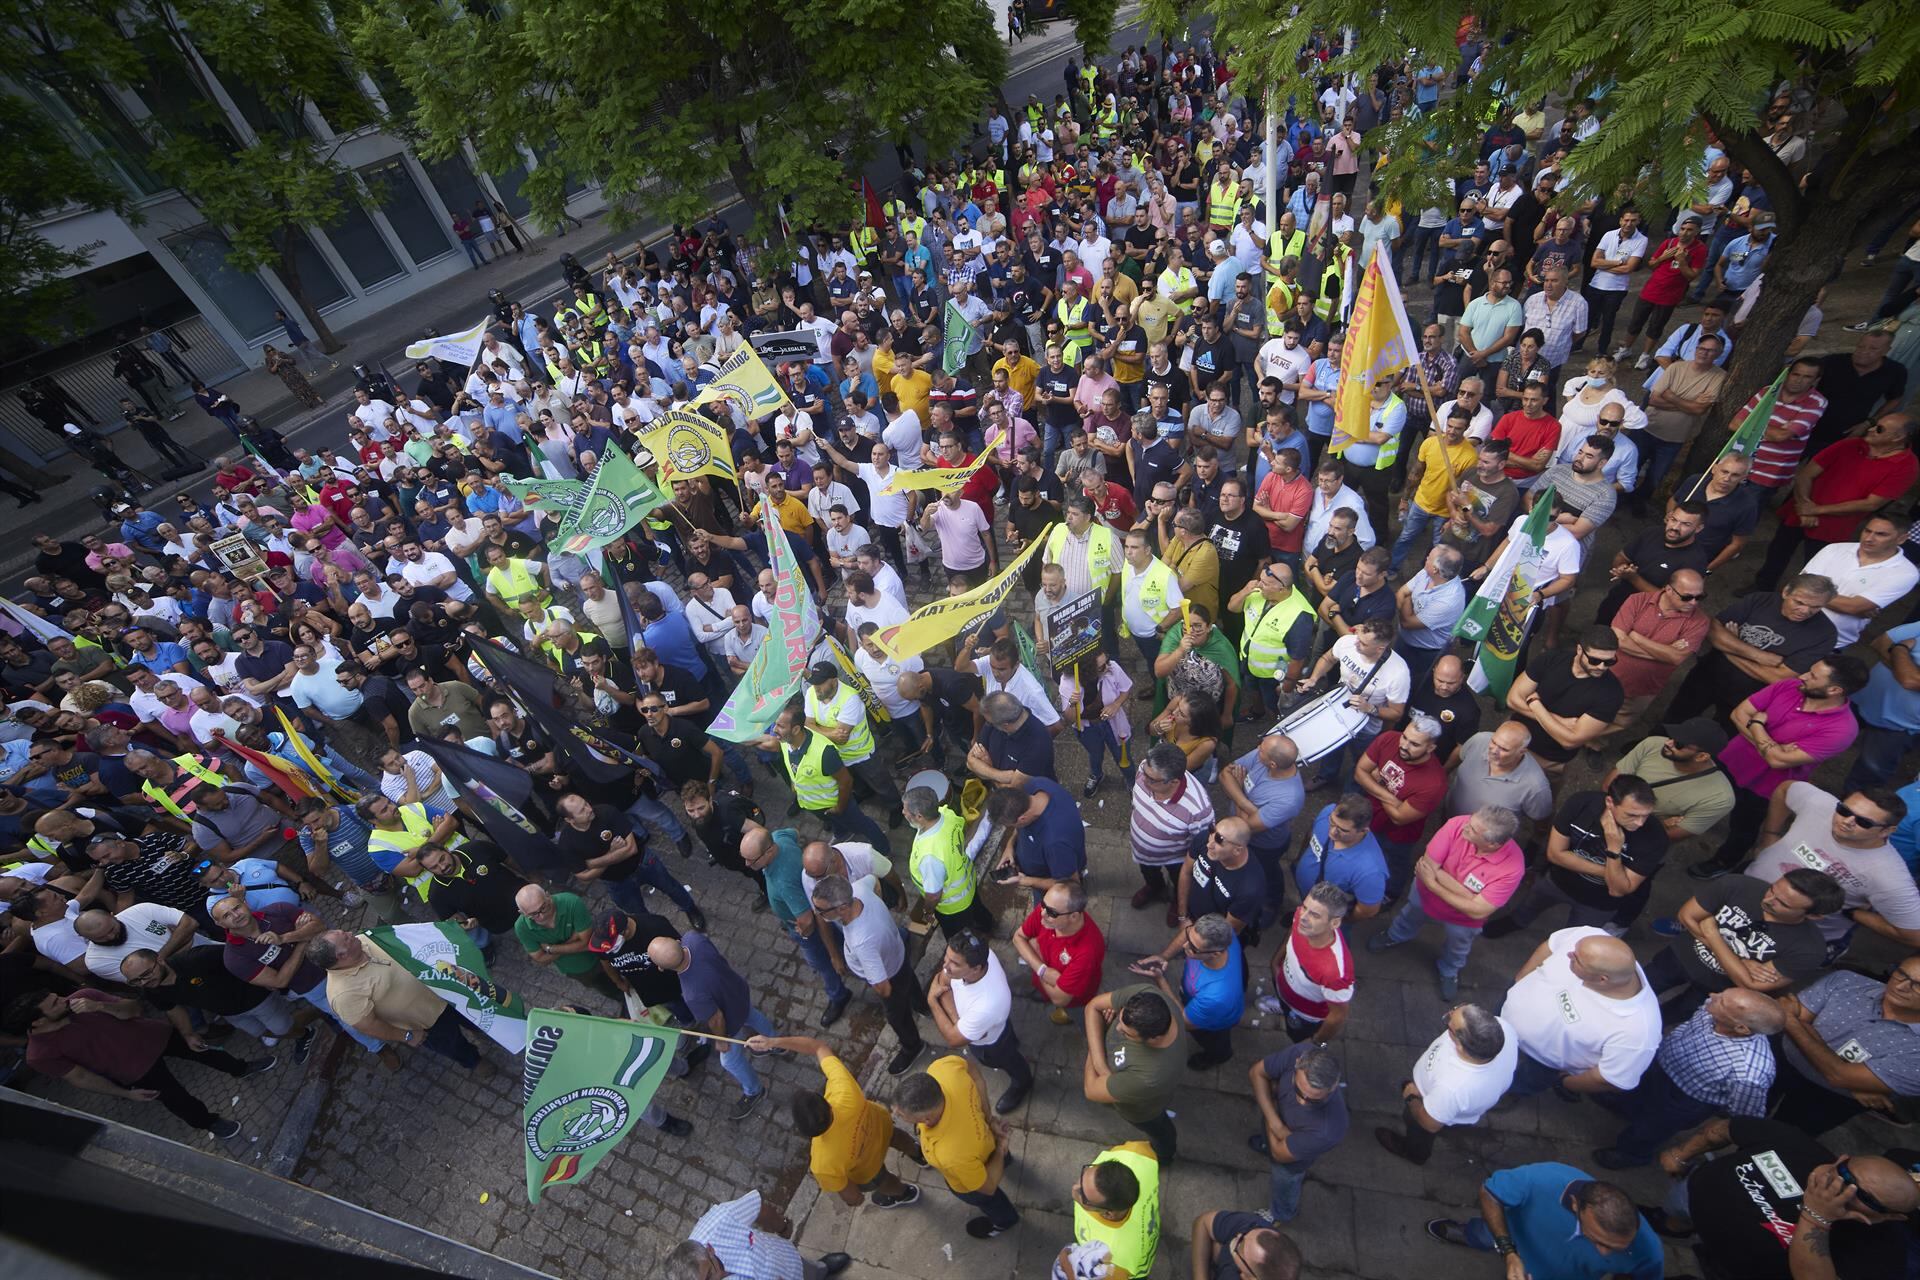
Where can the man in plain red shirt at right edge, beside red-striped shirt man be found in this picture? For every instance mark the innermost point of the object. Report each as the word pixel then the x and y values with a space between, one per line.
pixel 1836 492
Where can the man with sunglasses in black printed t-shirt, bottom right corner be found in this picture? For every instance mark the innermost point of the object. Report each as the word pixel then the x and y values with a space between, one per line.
pixel 1848 1214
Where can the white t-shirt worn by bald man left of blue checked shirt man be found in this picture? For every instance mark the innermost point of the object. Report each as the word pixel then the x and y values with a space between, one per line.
pixel 1572 1028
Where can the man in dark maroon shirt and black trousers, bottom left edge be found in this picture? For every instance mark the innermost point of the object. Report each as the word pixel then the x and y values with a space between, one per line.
pixel 99 1043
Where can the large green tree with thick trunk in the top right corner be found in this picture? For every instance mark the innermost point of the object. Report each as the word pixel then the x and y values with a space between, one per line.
pixel 1669 82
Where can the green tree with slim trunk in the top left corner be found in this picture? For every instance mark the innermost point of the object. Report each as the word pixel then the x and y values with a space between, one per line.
pixel 279 62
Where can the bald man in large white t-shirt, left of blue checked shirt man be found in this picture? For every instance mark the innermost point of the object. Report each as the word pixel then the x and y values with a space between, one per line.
pixel 1585 1016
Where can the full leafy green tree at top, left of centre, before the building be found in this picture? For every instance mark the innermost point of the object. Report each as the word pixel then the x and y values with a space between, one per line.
pixel 669 105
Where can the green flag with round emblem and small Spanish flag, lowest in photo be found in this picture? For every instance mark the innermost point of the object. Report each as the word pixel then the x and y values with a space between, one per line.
pixel 585 1083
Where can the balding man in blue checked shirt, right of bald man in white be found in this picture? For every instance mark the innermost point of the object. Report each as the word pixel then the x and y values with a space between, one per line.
pixel 1717 1062
